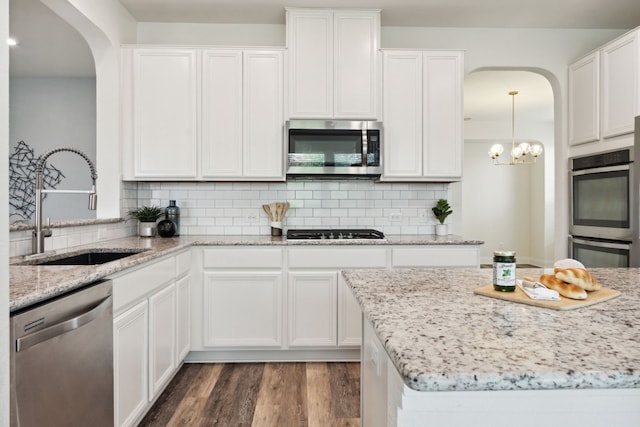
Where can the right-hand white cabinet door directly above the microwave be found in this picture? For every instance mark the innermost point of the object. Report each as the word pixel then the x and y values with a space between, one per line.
pixel 356 42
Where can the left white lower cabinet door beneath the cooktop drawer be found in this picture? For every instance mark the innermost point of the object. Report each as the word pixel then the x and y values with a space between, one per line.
pixel 312 309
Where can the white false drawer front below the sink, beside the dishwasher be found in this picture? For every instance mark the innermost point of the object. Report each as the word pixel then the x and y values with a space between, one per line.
pixel 132 286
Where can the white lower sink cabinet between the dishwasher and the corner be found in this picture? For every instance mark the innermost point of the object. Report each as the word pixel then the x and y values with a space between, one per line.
pixel 151 316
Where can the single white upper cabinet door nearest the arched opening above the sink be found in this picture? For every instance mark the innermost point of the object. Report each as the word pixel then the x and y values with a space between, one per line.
pixel 164 110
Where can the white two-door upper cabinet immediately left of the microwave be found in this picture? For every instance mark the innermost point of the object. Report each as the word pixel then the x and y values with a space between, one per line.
pixel 242 114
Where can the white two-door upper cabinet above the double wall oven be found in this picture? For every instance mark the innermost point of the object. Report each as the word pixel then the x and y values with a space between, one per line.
pixel 604 95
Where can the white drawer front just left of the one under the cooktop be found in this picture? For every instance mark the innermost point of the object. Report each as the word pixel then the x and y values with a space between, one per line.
pixel 243 258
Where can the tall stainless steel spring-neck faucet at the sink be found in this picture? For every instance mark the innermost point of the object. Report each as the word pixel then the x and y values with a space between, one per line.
pixel 40 233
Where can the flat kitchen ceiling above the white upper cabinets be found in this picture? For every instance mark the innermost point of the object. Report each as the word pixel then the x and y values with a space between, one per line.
pixel 618 14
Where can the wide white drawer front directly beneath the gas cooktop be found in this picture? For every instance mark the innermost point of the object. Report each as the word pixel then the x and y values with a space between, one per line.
pixel 338 258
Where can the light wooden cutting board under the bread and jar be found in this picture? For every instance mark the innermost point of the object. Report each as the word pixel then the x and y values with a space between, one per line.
pixel 596 297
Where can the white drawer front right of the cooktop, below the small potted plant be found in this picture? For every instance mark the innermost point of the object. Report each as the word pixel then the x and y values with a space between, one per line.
pixel 435 256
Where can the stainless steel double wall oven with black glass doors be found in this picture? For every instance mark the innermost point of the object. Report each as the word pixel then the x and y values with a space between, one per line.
pixel 604 209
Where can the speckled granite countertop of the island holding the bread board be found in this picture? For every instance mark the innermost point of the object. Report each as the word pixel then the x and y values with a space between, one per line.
pixel 442 337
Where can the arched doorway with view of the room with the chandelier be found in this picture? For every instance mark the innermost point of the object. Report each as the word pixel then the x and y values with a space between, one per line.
pixel 509 207
